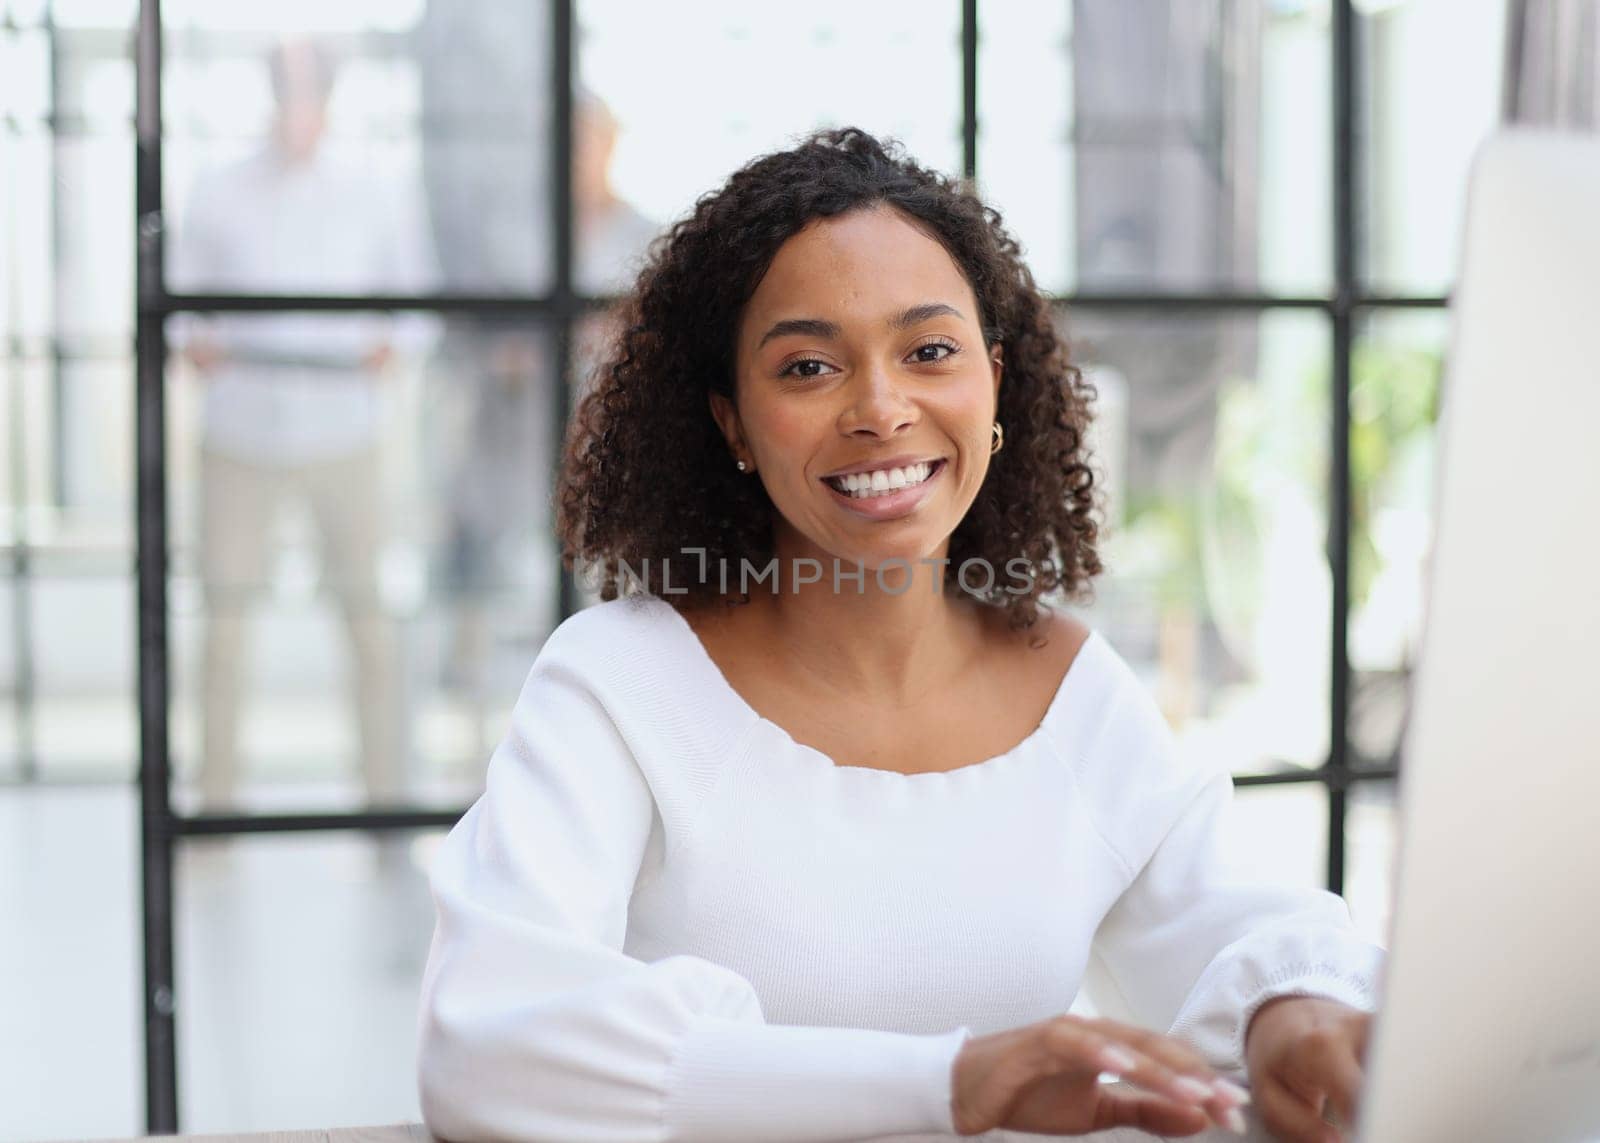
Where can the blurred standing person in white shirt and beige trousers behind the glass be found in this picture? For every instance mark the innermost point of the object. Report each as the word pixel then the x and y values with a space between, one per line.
pixel 294 403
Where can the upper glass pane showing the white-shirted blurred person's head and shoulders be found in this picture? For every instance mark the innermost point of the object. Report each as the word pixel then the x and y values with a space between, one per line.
pixel 401 151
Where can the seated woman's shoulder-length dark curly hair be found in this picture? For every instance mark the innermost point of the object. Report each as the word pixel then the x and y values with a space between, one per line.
pixel 646 470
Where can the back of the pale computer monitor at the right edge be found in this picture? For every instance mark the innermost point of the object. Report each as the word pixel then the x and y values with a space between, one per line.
pixel 1489 1030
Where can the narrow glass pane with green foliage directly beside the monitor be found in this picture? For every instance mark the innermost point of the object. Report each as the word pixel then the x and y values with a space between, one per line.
pixel 1394 419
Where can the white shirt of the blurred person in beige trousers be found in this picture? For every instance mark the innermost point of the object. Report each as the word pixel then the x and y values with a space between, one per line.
pixel 294 387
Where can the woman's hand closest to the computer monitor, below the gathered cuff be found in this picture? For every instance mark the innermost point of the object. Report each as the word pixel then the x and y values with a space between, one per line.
pixel 1305 1059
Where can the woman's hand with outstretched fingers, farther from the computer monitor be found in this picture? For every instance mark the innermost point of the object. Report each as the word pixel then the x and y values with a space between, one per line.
pixel 1046 1078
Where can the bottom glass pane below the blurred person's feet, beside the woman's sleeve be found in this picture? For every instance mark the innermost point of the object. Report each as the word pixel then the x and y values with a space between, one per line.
pixel 300 966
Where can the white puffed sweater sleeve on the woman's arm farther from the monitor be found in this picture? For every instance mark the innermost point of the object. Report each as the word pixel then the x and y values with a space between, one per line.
pixel 535 1025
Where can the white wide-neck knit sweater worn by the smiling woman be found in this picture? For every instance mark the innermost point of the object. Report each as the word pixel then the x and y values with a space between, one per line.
pixel 665 920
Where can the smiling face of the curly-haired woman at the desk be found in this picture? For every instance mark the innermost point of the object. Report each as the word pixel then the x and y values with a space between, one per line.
pixel 862 351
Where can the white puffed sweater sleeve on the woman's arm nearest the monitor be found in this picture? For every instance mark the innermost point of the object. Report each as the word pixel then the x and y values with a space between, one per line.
pixel 1196 945
